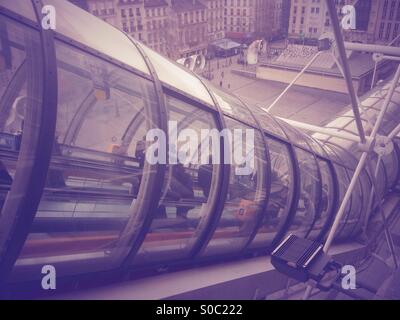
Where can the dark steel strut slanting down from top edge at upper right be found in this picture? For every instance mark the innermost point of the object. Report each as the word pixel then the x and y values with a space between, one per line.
pixel 346 68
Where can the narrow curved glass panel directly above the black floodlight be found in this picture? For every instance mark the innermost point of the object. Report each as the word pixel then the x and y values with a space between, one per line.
pixel 307 211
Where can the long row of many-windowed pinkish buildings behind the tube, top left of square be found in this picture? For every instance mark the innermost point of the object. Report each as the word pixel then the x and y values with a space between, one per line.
pixel 180 28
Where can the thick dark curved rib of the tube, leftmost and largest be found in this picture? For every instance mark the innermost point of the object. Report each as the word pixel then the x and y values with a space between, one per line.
pixel 26 191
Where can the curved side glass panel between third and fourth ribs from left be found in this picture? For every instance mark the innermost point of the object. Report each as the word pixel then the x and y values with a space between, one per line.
pixel 246 192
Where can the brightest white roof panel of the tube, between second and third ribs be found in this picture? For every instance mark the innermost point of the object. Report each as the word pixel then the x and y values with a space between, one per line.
pixel 177 77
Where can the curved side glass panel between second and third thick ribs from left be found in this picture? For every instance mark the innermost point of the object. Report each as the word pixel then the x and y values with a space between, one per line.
pixel 184 208
